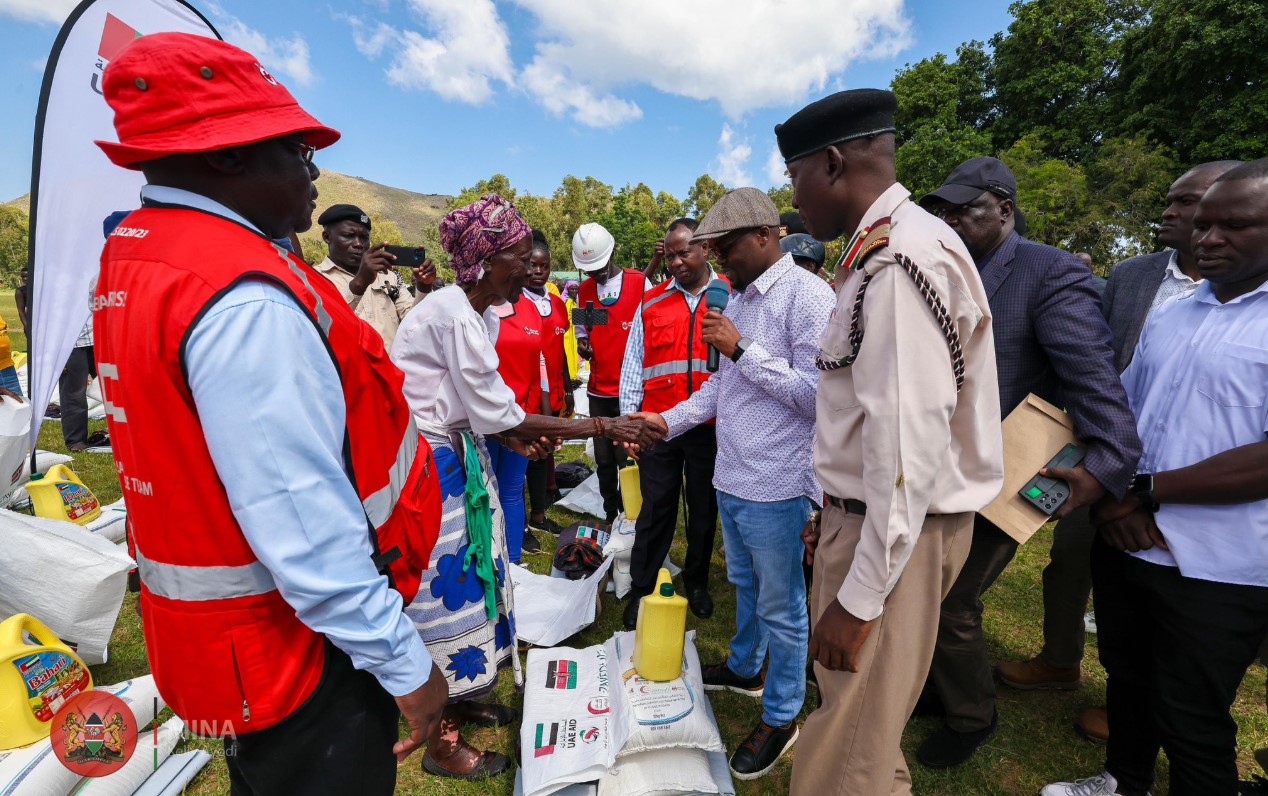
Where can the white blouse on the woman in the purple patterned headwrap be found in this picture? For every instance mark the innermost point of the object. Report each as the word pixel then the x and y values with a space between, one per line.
pixel 451 369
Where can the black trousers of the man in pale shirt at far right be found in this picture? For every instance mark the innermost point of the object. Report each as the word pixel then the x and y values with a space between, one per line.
pixel 1176 651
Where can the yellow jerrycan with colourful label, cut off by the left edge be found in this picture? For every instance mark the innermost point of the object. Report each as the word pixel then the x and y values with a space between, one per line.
pixel 39 675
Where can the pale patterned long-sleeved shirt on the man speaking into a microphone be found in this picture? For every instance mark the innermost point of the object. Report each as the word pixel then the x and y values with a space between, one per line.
pixel 765 404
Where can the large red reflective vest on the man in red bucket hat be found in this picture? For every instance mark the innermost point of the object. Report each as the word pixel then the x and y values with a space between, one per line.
pixel 228 653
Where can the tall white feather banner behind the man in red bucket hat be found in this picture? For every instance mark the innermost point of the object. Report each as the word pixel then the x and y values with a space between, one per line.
pixel 74 187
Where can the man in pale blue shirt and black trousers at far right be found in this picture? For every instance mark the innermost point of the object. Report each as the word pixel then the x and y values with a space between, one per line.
pixel 1181 566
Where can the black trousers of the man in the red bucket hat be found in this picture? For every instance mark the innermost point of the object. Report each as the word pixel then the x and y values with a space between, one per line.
pixel 339 742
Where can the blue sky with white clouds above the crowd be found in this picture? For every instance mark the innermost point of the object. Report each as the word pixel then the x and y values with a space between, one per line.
pixel 433 96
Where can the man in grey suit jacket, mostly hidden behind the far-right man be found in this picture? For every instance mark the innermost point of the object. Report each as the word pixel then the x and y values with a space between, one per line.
pixel 1137 287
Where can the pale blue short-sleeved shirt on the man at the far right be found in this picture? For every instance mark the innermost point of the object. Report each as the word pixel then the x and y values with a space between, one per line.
pixel 1198 386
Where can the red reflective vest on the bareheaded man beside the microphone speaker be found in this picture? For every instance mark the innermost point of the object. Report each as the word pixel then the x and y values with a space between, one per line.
pixel 675 358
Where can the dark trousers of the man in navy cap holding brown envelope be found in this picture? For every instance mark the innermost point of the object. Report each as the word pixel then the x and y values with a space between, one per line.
pixel 962 675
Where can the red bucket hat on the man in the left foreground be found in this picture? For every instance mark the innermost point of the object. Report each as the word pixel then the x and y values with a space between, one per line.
pixel 182 93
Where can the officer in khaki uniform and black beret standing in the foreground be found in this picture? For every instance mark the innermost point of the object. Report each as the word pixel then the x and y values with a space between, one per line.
pixel 909 443
